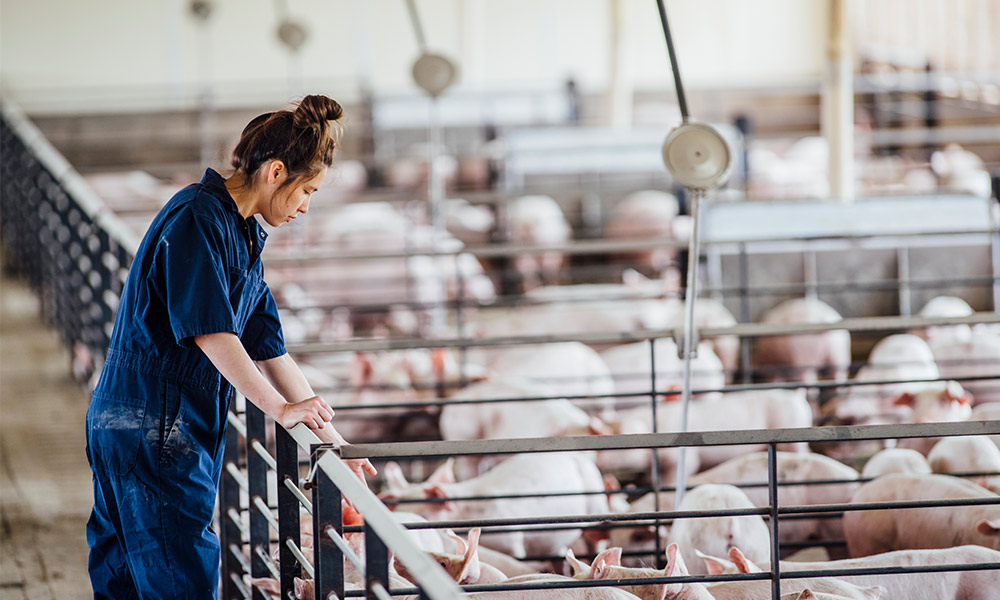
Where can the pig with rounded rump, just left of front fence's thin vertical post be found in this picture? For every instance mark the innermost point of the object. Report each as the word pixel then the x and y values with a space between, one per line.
pixel 715 535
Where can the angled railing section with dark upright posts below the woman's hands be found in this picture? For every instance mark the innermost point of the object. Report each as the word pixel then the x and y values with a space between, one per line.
pixel 274 517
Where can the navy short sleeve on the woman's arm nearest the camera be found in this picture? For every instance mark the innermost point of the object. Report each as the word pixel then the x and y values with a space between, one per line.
pixel 191 277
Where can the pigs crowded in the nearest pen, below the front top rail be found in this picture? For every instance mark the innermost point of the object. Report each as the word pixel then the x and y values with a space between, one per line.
pixel 920 537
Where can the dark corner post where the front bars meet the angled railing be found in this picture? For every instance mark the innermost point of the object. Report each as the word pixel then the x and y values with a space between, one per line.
pixel 328 560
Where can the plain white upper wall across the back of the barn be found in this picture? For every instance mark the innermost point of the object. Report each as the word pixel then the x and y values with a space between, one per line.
pixel 116 54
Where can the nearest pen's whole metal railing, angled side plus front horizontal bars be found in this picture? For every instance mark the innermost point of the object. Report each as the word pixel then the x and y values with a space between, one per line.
pixel 331 480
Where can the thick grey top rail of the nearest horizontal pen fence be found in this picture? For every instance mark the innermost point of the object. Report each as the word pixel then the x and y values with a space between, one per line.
pixel 838 433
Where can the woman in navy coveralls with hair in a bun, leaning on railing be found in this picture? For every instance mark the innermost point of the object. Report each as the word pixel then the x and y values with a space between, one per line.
pixel 196 317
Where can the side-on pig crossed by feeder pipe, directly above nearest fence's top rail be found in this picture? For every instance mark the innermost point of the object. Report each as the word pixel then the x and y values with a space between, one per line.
pixel 753 409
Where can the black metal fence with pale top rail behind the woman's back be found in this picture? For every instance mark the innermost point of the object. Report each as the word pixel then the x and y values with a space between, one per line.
pixel 59 236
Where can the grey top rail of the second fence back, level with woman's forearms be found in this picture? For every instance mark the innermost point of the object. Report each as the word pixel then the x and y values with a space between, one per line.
pixel 854 324
